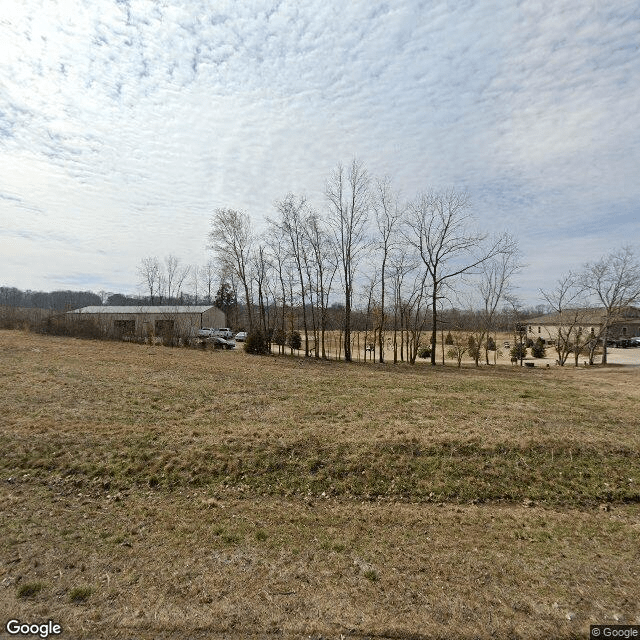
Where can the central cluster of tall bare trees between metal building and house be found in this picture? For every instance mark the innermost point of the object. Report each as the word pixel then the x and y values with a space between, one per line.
pixel 403 261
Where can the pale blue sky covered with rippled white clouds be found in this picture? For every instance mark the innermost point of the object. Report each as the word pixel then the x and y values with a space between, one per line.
pixel 125 123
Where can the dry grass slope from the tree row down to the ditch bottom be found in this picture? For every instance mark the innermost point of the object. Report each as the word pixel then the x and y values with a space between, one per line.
pixel 121 414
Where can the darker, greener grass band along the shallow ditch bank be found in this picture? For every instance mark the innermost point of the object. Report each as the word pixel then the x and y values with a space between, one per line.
pixel 395 470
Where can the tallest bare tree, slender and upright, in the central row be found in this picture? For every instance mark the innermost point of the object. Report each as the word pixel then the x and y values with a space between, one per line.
pixel 348 194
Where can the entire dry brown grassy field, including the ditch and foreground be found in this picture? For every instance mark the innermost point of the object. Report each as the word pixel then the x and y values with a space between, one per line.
pixel 150 492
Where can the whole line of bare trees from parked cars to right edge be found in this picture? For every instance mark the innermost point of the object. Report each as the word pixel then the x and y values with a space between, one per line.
pixel 403 272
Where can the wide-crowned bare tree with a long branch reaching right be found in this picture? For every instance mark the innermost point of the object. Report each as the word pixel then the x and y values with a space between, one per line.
pixel 438 225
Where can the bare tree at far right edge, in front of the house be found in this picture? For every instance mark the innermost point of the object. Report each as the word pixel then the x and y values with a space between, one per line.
pixel 614 281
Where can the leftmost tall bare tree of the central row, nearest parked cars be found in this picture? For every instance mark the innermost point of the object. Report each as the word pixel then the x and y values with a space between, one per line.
pixel 231 240
